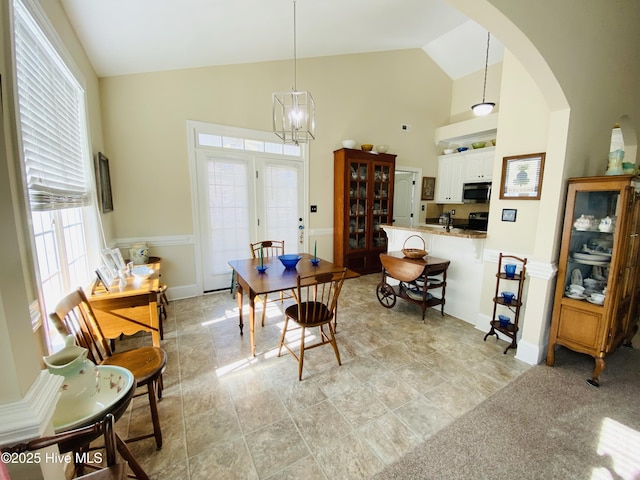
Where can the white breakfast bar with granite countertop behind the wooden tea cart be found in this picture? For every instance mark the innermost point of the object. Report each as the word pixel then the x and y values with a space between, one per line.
pixel 463 248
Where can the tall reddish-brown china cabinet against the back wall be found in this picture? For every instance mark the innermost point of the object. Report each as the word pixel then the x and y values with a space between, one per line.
pixel 363 203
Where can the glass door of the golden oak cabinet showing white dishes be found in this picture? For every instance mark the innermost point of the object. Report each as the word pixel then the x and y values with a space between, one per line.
pixel 591 244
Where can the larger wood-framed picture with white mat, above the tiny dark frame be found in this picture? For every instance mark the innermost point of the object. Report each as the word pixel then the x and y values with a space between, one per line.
pixel 522 177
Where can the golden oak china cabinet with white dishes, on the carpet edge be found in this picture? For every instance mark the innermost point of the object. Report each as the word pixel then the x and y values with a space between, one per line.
pixel 597 289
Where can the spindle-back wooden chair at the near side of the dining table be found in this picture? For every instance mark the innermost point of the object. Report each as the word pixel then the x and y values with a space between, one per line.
pixel 316 304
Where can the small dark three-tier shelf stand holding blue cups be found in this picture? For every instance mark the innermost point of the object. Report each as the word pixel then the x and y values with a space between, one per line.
pixel 506 302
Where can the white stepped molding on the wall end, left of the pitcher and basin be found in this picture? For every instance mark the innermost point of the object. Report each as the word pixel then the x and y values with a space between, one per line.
pixel 28 417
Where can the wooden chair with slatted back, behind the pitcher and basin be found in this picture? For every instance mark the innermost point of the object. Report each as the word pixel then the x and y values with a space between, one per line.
pixel 73 316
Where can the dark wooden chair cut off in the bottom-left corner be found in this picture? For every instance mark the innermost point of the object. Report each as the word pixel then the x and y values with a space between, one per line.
pixel 79 439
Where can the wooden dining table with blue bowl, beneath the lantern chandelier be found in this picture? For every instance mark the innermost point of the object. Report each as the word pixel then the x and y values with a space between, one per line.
pixel 275 279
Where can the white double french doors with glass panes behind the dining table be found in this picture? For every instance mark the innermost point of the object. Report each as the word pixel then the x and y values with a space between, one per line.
pixel 245 197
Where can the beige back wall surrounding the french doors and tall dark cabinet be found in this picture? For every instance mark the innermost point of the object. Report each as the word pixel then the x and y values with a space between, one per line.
pixel 364 97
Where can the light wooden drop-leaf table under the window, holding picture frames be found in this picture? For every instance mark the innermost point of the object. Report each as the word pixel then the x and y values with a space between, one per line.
pixel 130 308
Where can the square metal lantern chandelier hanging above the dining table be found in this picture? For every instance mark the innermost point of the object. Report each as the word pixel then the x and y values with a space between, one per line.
pixel 294 111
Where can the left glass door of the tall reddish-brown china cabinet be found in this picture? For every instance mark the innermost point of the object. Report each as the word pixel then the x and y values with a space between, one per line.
pixel 359 175
